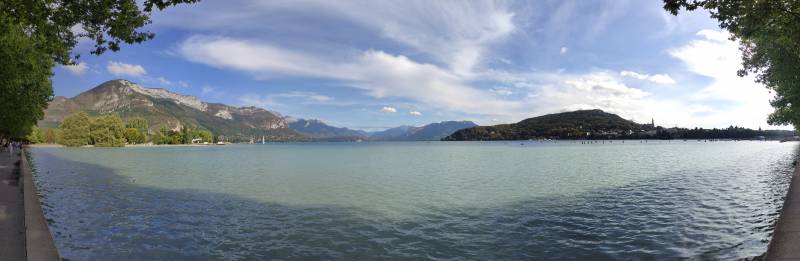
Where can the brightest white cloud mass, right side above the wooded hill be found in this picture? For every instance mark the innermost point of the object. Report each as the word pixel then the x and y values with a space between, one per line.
pixel 726 100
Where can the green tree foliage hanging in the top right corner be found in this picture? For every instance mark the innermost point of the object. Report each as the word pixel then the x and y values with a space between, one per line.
pixel 769 33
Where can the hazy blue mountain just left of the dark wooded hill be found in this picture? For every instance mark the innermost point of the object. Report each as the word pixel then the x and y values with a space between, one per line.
pixel 433 131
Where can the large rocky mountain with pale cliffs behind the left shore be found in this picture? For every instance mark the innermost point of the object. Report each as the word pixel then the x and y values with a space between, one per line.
pixel 166 109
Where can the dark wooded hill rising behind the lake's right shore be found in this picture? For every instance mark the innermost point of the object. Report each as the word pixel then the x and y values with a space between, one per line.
pixel 565 125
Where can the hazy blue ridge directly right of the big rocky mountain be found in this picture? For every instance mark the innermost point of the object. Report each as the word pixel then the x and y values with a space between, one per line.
pixel 317 129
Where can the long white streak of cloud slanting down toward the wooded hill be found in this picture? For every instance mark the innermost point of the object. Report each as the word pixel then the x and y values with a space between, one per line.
pixel 378 73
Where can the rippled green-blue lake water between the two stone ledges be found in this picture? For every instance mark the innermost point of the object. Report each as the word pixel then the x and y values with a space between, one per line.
pixel 496 200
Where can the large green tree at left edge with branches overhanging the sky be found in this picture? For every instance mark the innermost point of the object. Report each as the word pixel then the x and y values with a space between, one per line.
pixel 37 34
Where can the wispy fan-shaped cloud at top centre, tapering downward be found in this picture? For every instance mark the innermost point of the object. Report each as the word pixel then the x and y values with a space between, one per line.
pixel 455 33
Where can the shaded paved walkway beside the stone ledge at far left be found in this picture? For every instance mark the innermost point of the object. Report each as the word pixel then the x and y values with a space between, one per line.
pixel 12 226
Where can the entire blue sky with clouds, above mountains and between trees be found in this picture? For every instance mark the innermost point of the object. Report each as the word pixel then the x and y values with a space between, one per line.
pixel 378 64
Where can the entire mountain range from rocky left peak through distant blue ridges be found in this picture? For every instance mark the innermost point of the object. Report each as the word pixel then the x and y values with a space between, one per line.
pixel 165 109
